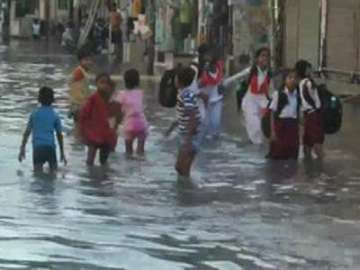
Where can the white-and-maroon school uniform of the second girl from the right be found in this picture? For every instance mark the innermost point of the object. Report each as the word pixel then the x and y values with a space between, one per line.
pixel 286 126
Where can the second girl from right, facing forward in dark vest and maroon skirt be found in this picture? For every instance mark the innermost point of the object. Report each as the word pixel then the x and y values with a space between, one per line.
pixel 285 120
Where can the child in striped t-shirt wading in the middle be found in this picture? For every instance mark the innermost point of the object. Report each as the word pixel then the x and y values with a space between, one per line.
pixel 188 119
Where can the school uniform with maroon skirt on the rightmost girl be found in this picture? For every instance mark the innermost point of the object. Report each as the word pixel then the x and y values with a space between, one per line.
pixel 313 126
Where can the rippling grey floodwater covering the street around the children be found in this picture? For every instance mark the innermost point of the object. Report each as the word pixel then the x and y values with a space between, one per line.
pixel 246 213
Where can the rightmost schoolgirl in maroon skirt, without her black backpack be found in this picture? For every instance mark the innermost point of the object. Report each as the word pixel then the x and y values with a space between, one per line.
pixel 314 135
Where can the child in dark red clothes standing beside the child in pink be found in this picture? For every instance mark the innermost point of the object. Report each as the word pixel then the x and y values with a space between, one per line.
pixel 95 117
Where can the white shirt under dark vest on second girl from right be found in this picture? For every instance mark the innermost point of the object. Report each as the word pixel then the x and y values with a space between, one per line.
pixel 291 109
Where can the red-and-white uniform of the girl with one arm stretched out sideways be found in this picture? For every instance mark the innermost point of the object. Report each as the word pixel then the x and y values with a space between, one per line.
pixel 254 104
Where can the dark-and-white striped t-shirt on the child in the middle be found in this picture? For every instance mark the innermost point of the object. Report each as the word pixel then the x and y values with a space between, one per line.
pixel 186 105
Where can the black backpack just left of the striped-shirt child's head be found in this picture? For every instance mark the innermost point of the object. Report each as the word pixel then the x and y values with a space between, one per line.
pixel 168 90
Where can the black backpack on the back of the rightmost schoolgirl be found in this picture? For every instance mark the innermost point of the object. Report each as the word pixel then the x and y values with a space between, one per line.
pixel 331 110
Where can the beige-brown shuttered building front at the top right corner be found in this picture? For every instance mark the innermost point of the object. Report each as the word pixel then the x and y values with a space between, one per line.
pixel 325 32
